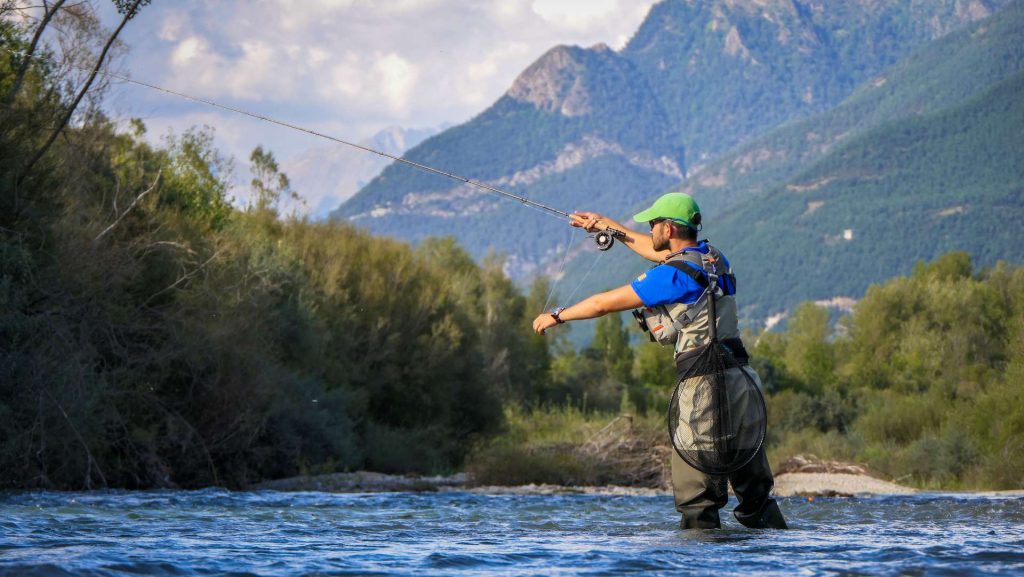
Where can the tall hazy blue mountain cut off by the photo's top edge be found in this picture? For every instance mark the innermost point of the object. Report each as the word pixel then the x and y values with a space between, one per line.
pixel 728 71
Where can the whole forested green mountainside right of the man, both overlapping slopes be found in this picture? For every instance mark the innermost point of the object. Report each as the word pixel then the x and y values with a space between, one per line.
pixel 923 158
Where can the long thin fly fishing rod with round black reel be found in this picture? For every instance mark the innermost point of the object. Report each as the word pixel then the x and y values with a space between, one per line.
pixel 605 238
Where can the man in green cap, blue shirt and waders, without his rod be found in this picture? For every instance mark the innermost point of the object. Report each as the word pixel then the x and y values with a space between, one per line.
pixel 692 283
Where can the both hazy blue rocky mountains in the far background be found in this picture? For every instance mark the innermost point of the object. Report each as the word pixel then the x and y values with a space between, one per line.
pixel 596 130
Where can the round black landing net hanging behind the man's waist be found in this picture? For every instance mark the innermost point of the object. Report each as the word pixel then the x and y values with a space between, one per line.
pixel 717 417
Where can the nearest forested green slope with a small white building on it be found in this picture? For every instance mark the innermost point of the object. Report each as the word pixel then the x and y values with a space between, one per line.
pixel 879 203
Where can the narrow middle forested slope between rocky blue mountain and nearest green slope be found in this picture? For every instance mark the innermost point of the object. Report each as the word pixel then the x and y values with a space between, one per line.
pixel 943 74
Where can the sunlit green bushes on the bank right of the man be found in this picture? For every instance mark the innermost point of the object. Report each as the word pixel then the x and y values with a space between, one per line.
pixel 925 386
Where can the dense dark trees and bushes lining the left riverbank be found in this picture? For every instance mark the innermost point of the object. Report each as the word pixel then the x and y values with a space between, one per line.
pixel 154 336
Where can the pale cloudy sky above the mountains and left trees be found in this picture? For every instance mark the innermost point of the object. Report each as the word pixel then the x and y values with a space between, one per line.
pixel 348 68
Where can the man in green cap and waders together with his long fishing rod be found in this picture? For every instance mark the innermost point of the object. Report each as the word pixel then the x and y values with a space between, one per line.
pixel 681 296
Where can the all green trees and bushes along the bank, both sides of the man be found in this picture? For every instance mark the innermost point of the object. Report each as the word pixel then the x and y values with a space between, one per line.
pixel 154 336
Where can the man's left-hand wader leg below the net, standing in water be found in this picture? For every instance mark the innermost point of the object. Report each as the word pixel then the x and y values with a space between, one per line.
pixel 699 497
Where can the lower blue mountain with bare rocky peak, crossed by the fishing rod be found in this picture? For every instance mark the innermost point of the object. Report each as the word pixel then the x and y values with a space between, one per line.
pixel 579 119
